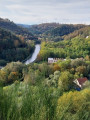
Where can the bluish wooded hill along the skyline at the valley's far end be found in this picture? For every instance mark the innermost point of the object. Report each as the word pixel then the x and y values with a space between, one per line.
pixel 54 29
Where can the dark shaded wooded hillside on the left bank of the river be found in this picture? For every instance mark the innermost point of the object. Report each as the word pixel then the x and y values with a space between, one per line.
pixel 13 48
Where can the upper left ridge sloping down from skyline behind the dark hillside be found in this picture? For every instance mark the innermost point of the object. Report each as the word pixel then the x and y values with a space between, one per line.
pixel 11 26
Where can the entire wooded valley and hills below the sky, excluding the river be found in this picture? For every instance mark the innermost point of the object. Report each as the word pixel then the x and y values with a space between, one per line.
pixel 40 90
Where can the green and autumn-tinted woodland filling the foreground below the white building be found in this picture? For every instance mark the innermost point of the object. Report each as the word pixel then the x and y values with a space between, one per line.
pixel 42 91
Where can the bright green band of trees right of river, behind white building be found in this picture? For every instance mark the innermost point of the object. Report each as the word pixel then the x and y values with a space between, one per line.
pixel 74 48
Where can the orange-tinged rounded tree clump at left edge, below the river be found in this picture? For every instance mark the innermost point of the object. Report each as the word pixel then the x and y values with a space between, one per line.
pixel 12 72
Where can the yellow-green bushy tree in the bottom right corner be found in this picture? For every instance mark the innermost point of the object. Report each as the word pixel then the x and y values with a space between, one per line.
pixel 74 106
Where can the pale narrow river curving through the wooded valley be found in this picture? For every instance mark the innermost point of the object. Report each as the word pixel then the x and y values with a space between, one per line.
pixel 34 55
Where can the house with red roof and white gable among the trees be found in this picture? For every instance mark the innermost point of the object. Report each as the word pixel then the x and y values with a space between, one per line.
pixel 79 83
